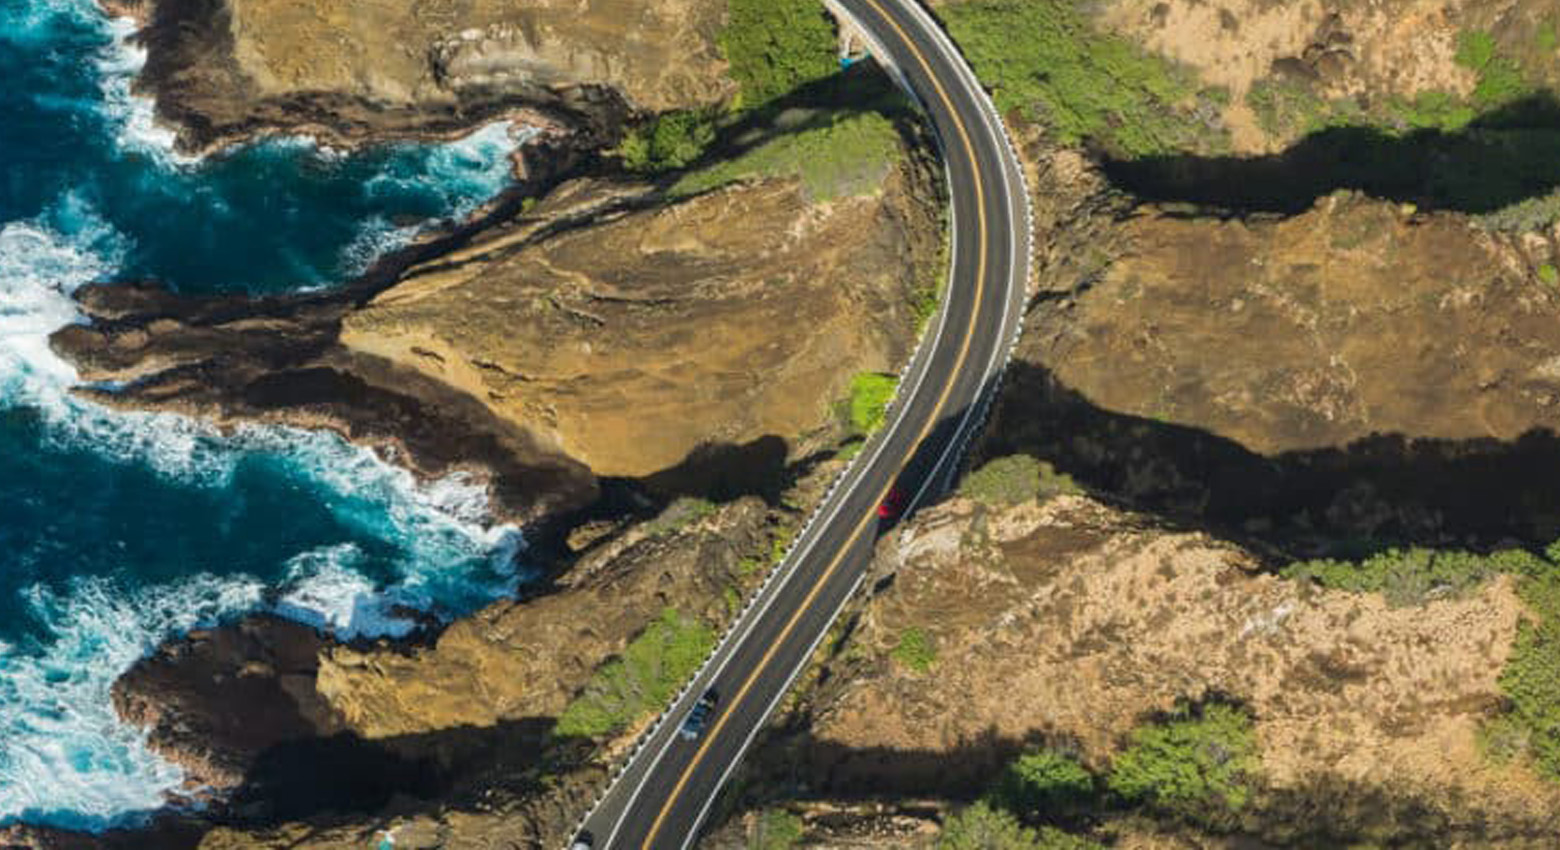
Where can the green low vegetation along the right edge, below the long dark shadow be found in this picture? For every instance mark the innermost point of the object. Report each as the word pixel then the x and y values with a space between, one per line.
pixel 1531 681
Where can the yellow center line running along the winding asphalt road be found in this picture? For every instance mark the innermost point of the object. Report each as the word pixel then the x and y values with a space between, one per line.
pixel 943 400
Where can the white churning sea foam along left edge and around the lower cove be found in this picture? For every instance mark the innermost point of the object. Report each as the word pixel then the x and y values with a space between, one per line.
pixel 65 757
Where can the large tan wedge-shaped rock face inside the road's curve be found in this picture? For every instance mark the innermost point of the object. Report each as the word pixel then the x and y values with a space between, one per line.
pixel 631 342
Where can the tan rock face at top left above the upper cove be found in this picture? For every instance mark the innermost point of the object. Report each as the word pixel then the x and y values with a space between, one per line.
pixel 353 71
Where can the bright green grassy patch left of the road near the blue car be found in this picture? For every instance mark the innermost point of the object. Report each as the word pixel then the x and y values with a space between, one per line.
pixel 640 682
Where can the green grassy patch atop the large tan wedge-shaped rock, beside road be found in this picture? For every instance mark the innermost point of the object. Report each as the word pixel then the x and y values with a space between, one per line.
pixel 846 155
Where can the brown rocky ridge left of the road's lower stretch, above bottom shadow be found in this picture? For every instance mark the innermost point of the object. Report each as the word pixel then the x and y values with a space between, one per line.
pixel 523 661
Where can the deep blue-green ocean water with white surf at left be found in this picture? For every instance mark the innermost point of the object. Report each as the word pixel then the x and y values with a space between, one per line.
pixel 119 531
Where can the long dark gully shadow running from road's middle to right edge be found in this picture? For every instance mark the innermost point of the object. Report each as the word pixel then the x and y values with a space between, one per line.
pixel 1347 501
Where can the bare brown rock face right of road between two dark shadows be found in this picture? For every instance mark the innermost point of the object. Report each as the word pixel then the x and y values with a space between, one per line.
pixel 1360 317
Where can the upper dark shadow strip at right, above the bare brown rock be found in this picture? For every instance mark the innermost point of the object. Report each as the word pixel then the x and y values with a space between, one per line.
pixel 1505 157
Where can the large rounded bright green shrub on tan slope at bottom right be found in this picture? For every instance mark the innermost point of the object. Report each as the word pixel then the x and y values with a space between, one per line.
pixel 1197 765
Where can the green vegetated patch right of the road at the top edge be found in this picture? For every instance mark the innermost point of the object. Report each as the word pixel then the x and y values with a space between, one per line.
pixel 1046 60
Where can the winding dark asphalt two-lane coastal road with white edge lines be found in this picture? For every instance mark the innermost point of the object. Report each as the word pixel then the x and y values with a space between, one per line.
pixel 667 788
